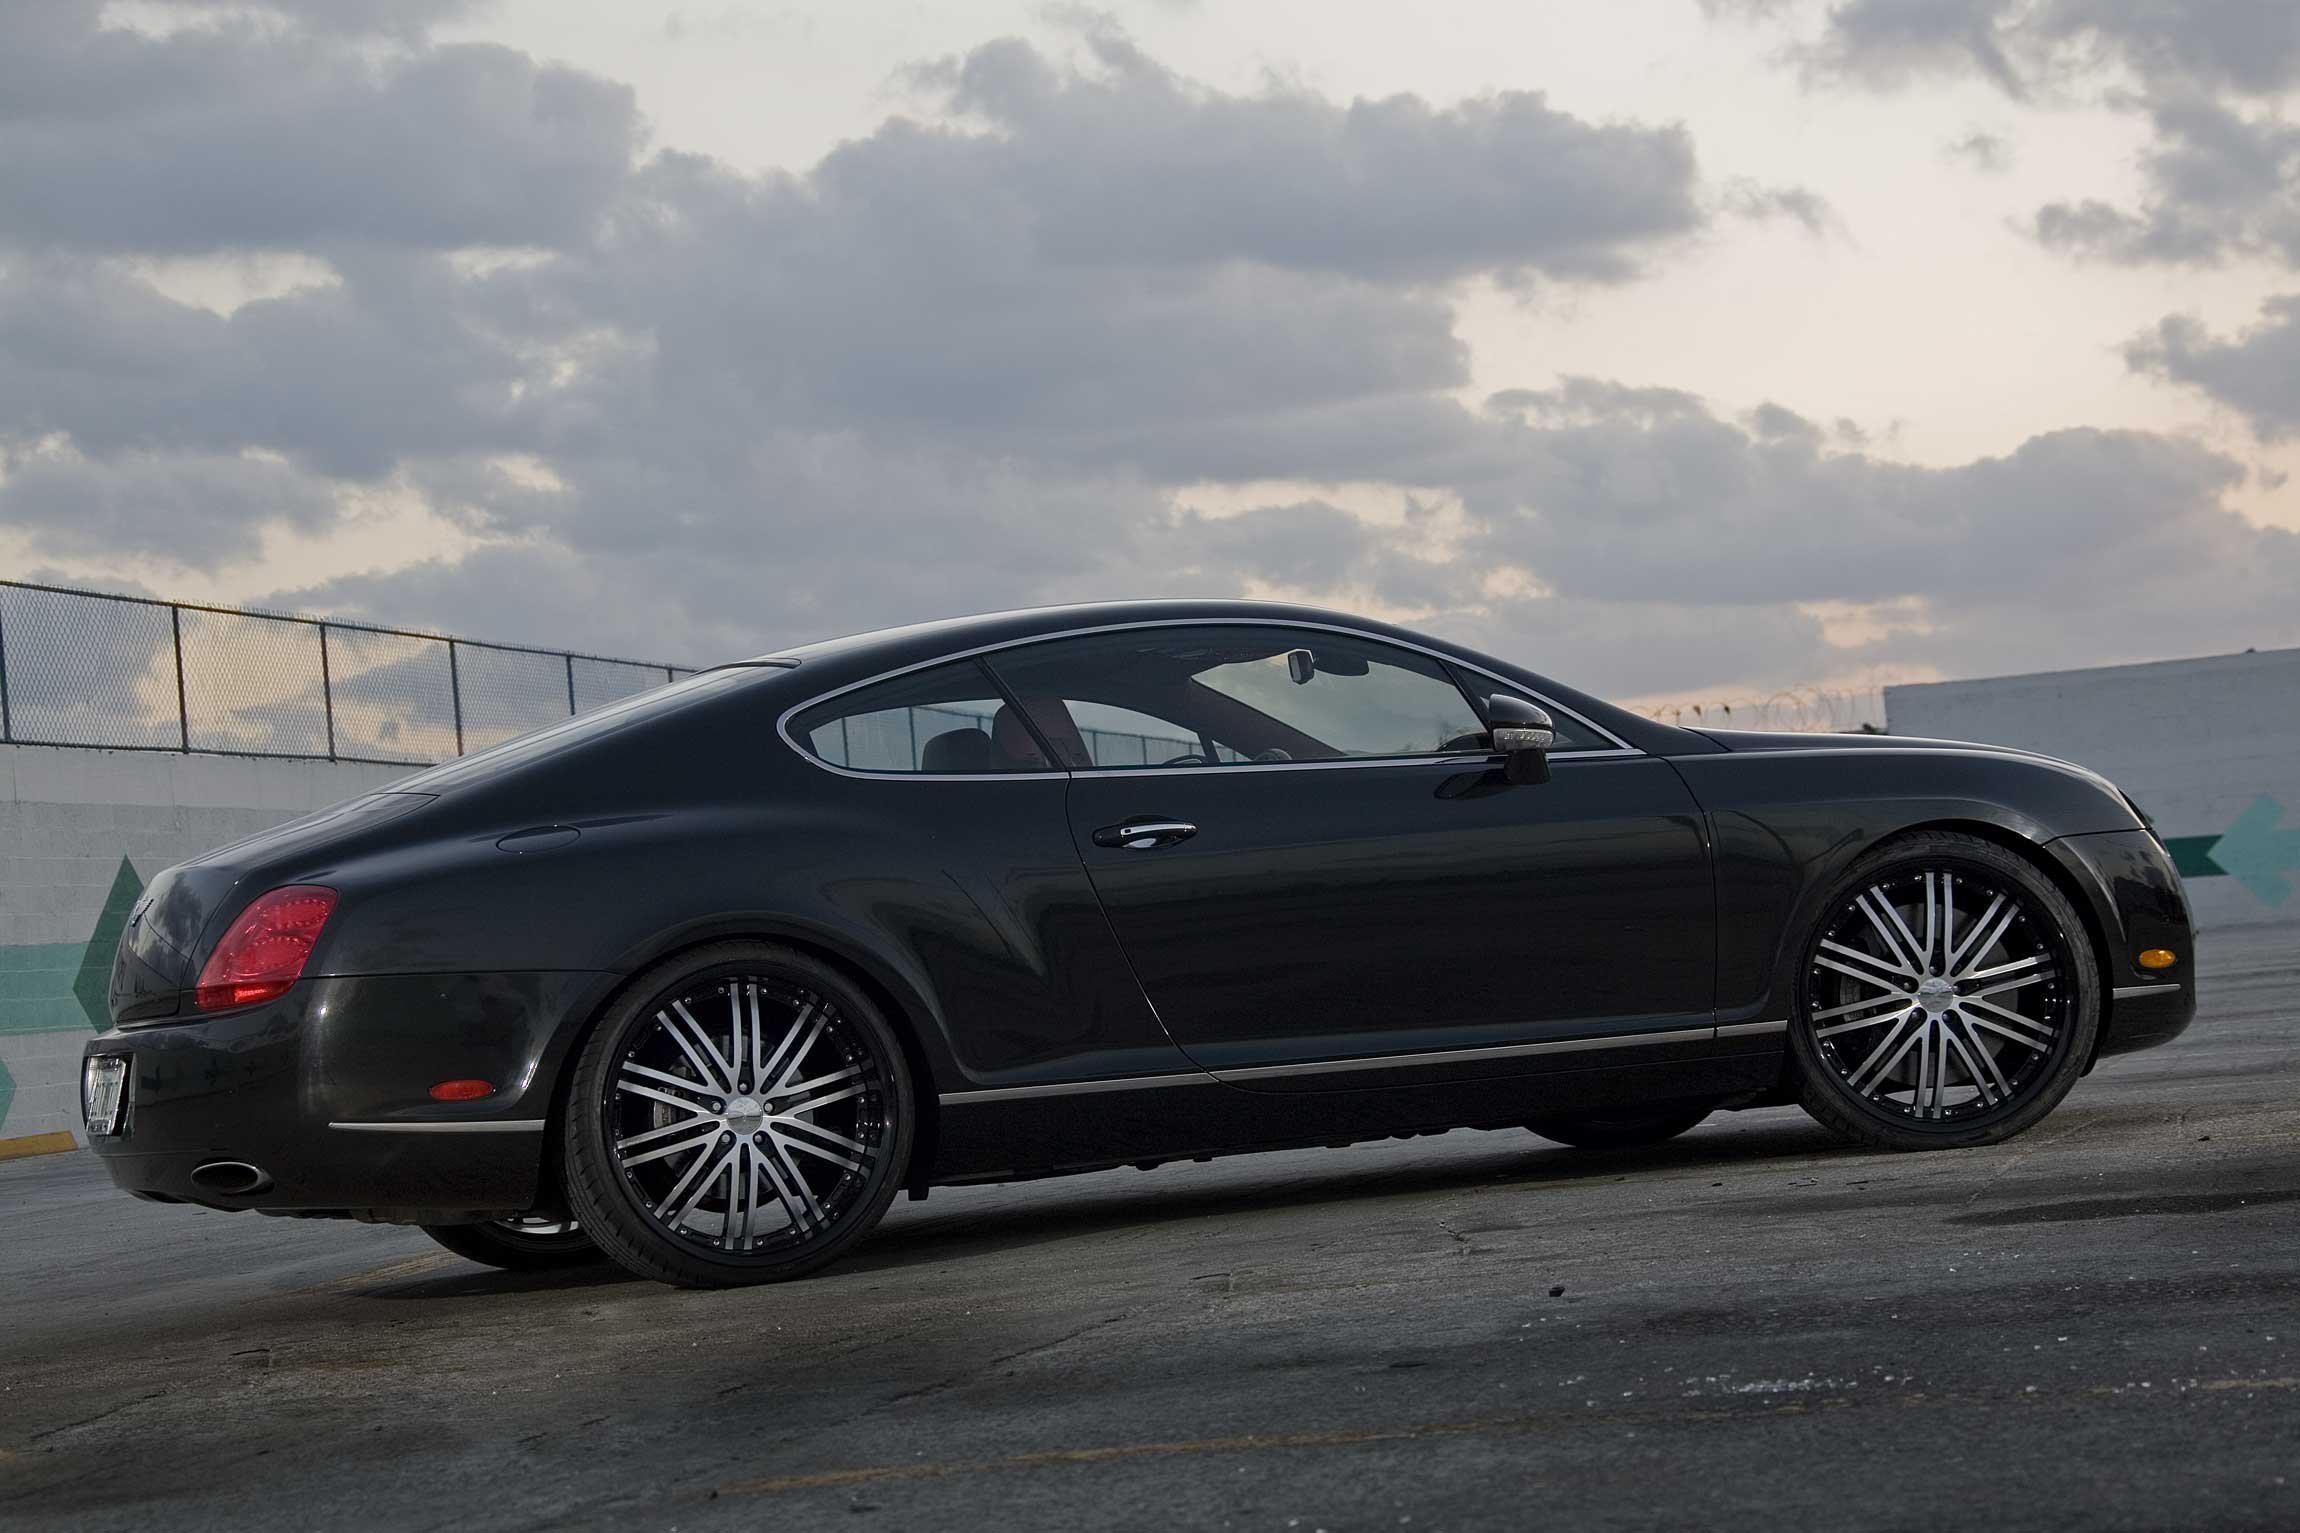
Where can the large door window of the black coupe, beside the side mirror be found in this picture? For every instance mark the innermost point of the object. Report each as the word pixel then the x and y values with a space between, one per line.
pixel 1229 695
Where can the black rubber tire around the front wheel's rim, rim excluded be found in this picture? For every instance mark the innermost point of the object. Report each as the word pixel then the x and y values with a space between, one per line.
pixel 1839 1107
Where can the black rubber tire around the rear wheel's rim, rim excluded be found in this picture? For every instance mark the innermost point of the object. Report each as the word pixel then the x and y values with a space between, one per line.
pixel 597 1187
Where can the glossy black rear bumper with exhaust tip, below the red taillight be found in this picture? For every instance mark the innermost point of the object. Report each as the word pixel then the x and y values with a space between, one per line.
pixel 328 1095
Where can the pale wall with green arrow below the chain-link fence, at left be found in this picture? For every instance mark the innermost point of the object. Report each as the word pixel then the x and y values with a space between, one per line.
pixel 79 838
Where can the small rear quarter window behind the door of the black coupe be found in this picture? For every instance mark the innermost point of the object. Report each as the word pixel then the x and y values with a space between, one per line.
pixel 944 721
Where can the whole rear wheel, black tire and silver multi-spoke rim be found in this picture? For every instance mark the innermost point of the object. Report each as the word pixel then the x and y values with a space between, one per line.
pixel 739 1116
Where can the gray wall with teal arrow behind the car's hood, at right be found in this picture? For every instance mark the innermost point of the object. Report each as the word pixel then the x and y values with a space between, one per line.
pixel 2209 748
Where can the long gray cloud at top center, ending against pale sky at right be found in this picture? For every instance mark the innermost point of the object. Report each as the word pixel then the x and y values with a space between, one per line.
pixel 1135 167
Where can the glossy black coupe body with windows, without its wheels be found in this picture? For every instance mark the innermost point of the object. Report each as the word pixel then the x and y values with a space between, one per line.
pixel 1335 948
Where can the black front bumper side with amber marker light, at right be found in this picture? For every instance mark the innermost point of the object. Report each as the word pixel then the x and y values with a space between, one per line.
pixel 2138 904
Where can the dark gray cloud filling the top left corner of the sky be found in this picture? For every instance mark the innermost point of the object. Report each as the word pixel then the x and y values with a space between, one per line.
pixel 243 137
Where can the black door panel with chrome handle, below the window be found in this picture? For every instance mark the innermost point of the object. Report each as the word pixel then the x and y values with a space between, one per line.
pixel 1363 909
